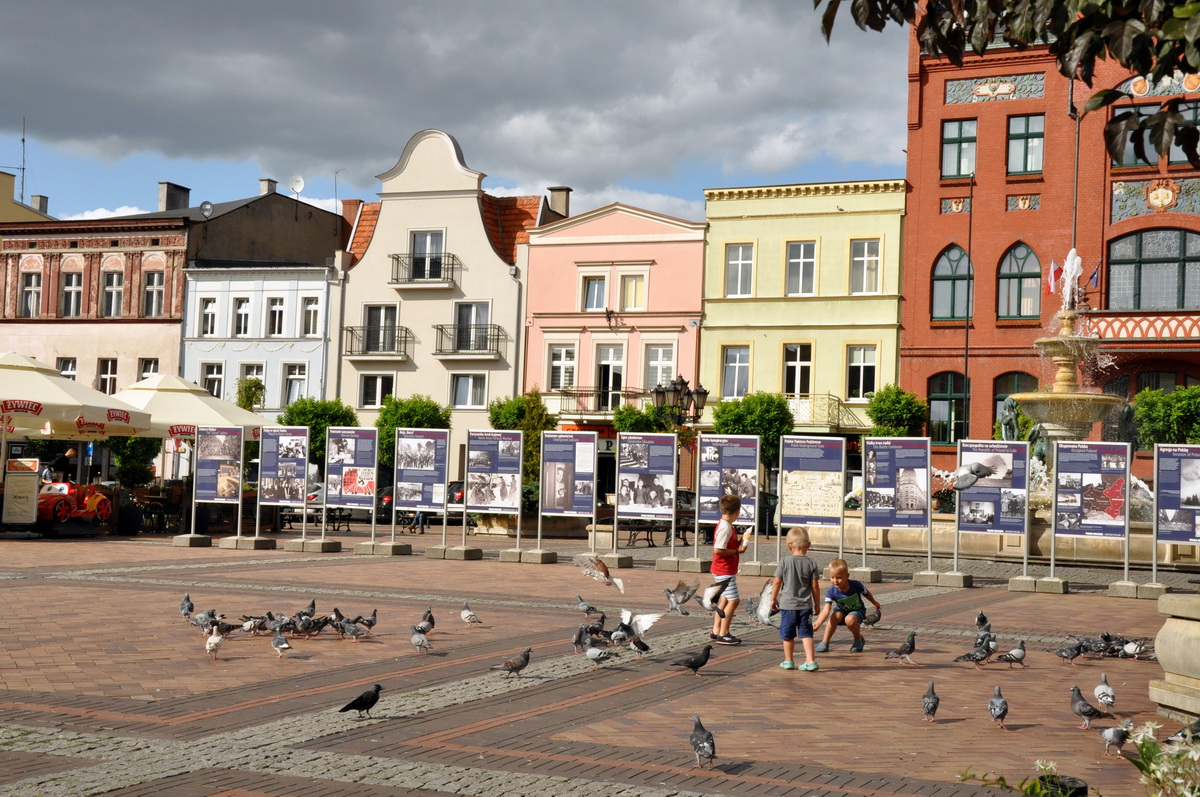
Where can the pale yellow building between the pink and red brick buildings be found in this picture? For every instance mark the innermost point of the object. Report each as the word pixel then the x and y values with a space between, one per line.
pixel 802 297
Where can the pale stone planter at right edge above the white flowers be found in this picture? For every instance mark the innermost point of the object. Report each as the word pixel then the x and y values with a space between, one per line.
pixel 1178 693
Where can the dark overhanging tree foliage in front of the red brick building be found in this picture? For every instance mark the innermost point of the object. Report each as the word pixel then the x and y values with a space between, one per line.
pixel 1153 39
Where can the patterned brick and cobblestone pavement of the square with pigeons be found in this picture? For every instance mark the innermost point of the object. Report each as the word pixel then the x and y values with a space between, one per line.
pixel 106 691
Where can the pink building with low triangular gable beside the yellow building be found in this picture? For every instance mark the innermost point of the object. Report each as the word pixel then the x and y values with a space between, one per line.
pixel 614 310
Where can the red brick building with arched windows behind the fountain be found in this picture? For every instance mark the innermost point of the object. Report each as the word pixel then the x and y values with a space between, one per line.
pixel 992 181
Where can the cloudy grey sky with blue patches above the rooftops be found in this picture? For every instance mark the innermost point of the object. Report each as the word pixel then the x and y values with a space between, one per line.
pixel 646 104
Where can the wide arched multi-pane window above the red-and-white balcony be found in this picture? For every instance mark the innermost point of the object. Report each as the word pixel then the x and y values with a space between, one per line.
pixel 1155 269
